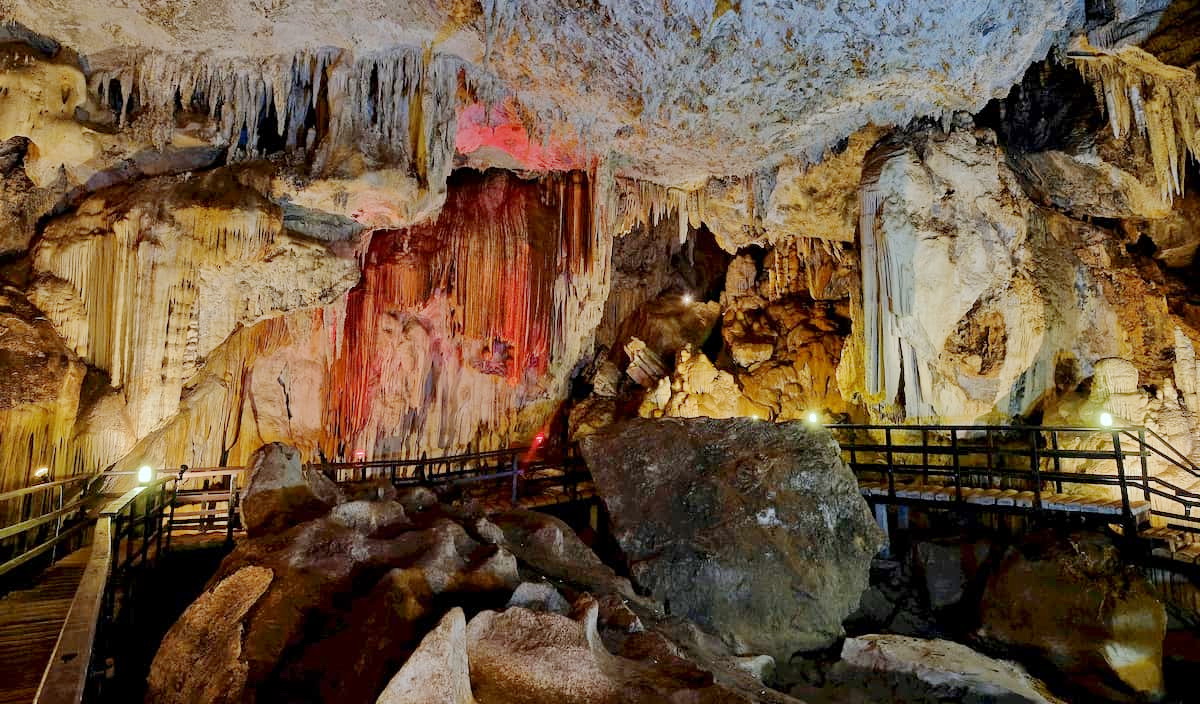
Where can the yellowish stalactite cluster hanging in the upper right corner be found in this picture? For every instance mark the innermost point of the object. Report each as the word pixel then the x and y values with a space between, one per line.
pixel 1143 94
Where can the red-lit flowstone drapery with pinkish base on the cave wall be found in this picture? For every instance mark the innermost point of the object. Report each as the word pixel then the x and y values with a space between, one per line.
pixel 482 304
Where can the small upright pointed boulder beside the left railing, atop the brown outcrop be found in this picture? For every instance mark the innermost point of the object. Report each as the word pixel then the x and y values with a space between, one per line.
pixel 283 492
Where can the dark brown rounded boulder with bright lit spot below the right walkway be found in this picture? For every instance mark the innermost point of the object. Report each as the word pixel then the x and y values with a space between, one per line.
pixel 1078 606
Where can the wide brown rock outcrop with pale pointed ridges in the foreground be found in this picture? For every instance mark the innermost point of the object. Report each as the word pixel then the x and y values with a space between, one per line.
pixel 365 604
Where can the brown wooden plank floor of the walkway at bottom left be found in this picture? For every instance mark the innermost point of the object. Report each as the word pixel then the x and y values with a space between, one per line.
pixel 31 622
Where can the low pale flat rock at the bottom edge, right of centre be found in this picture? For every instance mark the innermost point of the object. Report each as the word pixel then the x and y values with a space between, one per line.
pixel 899 669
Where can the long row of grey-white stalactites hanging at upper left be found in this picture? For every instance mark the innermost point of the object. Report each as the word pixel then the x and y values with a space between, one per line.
pixel 395 107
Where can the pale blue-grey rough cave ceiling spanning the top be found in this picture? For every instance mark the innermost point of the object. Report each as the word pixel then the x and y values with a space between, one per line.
pixel 679 91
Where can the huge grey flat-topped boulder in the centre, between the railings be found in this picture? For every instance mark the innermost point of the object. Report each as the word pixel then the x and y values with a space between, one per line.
pixel 754 531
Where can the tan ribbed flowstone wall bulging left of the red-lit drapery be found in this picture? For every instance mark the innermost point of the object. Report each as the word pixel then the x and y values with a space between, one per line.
pixel 146 282
